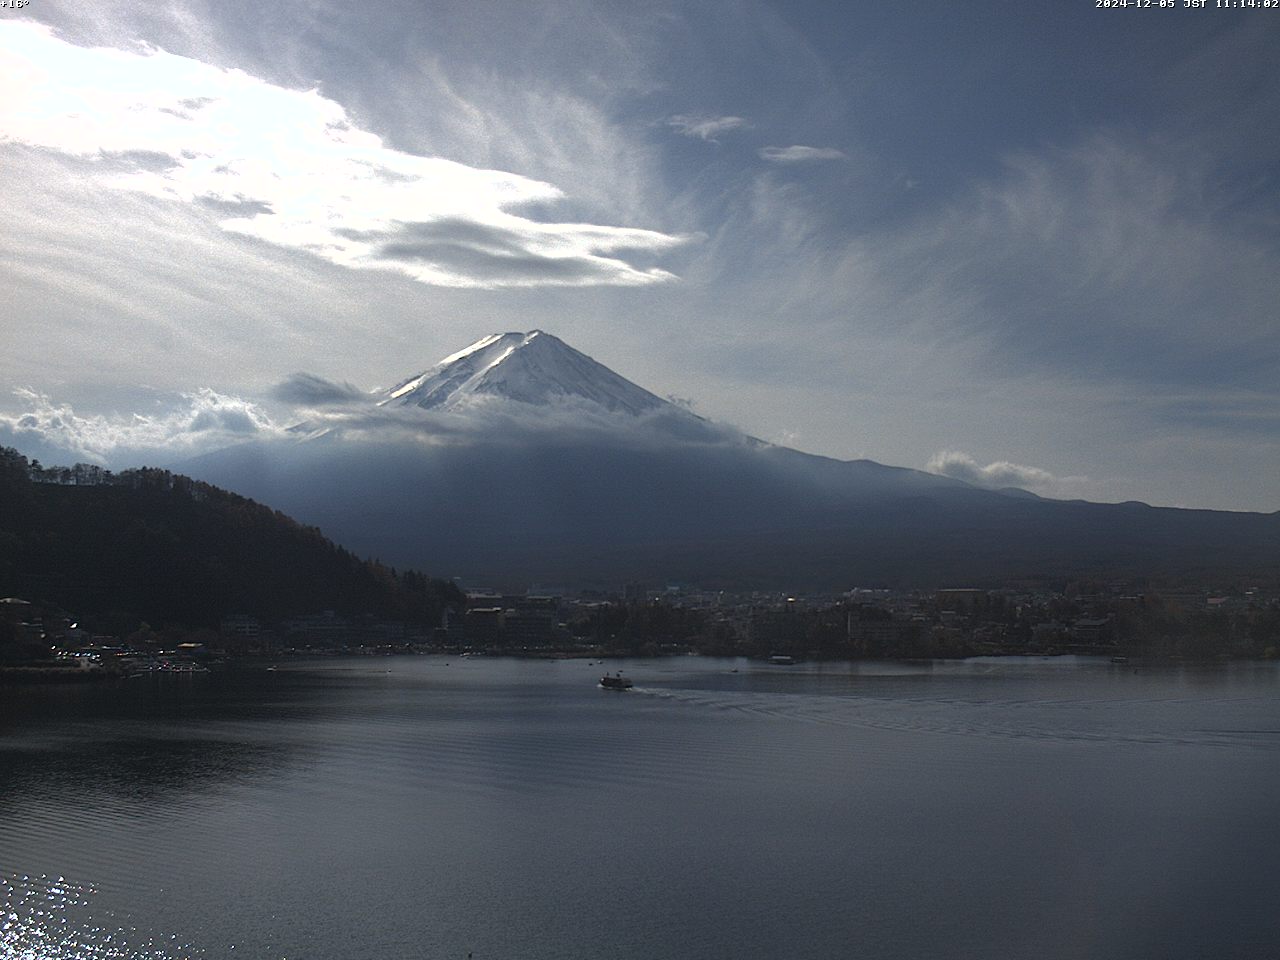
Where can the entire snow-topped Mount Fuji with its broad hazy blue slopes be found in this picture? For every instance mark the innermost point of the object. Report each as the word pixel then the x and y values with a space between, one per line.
pixel 520 459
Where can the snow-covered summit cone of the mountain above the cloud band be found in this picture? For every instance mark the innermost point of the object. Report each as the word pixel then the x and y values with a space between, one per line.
pixel 531 368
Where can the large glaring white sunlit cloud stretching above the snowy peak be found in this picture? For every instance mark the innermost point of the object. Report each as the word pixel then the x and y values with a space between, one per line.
pixel 289 167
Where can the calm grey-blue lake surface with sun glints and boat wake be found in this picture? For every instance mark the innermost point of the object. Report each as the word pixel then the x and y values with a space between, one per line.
pixel 423 807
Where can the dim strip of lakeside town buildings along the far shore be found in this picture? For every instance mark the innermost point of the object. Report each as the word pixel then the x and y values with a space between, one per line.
pixel 43 642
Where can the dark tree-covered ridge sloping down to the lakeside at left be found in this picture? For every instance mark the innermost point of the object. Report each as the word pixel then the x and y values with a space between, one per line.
pixel 159 547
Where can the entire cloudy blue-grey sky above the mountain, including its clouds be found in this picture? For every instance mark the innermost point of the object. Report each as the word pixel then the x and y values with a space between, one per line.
pixel 1020 244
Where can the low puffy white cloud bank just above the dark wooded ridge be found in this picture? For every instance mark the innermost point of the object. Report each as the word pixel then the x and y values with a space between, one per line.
pixel 202 422
